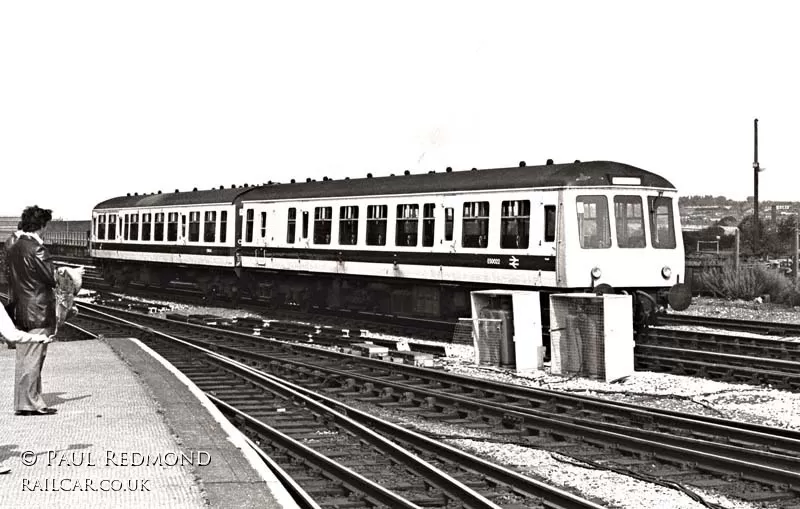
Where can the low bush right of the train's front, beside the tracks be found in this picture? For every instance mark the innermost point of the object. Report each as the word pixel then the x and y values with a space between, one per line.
pixel 749 283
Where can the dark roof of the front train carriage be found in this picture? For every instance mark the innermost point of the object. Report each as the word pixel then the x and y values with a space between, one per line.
pixel 578 174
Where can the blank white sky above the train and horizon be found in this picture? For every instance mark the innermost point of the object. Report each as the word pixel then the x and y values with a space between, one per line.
pixel 99 98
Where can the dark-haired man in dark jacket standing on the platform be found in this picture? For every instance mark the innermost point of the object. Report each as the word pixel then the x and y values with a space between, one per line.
pixel 32 281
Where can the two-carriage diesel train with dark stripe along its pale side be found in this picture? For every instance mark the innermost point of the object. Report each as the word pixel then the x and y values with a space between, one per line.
pixel 411 245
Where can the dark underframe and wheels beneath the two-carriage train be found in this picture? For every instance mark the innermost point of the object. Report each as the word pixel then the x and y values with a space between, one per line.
pixel 305 291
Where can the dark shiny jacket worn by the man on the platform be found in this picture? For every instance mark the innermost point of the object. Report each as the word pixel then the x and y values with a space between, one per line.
pixel 32 283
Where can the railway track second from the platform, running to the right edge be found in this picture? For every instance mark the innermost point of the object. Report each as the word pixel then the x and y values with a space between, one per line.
pixel 745 461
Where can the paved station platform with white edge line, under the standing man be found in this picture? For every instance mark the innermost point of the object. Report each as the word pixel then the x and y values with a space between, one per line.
pixel 129 433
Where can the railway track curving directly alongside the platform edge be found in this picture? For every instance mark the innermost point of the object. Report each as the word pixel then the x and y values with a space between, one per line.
pixel 338 456
